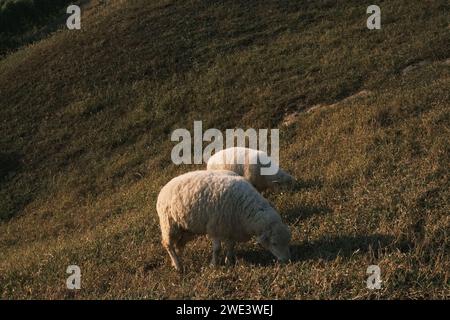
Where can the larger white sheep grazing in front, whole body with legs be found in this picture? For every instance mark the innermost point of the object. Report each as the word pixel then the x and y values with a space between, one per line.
pixel 225 207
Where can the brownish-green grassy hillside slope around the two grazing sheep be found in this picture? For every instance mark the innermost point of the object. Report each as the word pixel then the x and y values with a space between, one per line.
pixel 85 146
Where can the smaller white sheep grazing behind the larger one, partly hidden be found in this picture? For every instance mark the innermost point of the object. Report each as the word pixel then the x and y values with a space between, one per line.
pixel 248 163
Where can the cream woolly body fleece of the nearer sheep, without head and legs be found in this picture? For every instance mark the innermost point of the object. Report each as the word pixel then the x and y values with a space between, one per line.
pixel 220 204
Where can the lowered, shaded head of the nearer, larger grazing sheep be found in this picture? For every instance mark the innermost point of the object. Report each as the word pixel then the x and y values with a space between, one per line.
pixel 276 239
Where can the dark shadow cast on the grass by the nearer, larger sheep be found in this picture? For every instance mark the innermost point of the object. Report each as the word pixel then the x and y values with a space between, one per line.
pixel 327 248
